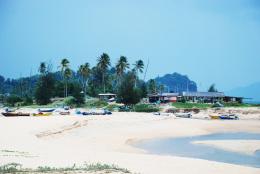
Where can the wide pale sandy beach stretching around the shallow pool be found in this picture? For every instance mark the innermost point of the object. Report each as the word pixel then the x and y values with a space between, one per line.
pixel 66 140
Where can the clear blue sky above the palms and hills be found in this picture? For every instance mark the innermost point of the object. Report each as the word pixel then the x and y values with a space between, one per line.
pixel 211 41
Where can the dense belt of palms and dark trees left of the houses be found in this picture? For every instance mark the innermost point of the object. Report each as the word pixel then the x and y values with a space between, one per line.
pixel 77 85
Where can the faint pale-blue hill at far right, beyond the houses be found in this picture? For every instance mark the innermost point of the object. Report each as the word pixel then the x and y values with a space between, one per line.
pixel 251 91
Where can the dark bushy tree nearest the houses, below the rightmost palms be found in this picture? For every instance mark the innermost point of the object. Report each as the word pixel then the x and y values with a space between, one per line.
pixel 127 93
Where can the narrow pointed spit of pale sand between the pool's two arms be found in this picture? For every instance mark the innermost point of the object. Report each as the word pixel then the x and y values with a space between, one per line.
pixel 248 147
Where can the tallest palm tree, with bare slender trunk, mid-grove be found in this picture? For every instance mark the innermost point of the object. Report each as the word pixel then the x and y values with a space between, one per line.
pixel 103 64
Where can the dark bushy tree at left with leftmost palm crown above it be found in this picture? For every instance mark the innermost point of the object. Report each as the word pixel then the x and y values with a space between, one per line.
pixel 44 86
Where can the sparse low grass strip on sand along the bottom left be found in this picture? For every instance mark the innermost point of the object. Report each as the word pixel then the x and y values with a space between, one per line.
pixel 17 168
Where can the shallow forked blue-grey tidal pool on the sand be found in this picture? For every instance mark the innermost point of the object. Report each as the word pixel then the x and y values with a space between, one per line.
pixel 185 148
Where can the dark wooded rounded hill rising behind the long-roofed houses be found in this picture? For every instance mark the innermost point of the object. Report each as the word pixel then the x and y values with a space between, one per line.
pixel 177 83
